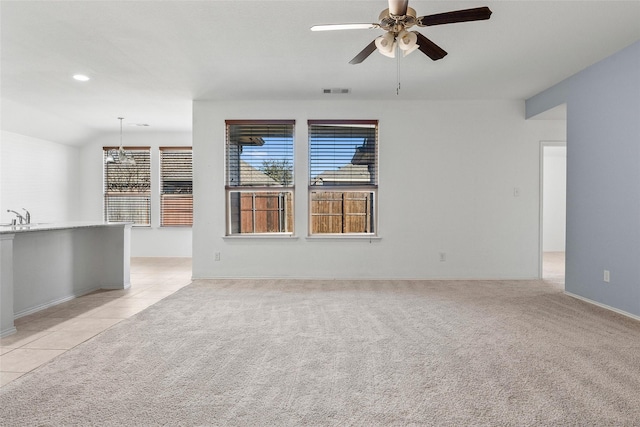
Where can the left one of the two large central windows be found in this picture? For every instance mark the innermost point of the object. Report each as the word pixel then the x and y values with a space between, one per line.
pixel 259 177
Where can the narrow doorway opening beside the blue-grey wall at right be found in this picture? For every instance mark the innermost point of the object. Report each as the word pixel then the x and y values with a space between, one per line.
pixel 553 202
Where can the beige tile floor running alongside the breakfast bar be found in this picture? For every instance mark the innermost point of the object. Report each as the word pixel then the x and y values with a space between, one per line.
pixel 48 333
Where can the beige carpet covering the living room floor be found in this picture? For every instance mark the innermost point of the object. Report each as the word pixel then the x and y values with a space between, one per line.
pixel 292 353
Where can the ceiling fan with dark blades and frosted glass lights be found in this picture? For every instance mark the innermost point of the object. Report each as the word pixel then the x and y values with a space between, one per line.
pixel 396 20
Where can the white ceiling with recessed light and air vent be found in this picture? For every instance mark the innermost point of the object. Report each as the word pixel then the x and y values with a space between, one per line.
pixel 149 59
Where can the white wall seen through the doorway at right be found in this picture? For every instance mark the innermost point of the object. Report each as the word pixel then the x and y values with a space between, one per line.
pixel 554 203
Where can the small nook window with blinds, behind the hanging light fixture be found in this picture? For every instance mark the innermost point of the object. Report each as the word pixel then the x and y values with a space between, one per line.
pixel 127 185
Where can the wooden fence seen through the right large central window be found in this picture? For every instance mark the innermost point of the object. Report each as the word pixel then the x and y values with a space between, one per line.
pixel 341 212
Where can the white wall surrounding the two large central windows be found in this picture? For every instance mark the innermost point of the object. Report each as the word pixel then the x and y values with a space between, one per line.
pixel 448 170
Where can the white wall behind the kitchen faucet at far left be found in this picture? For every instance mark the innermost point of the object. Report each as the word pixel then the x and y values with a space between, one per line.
pixel 41 176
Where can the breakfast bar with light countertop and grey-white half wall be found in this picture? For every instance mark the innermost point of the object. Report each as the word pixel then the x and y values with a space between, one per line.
pixel 42 265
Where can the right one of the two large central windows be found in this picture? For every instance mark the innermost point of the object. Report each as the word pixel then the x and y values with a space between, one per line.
pixel 343 176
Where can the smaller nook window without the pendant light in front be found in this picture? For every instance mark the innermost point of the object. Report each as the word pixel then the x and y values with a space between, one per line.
pixel 176 186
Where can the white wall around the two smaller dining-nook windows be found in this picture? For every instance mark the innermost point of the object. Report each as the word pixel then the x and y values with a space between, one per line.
pixel 154 241
